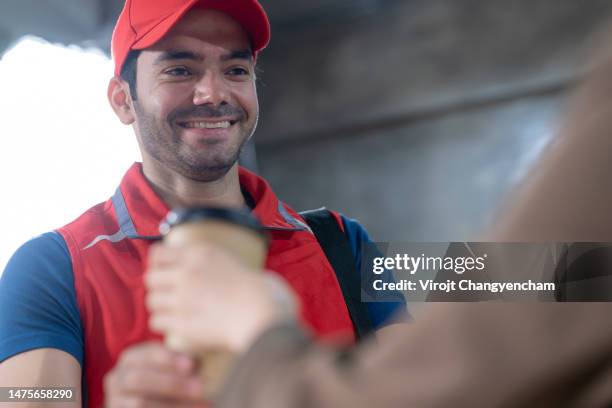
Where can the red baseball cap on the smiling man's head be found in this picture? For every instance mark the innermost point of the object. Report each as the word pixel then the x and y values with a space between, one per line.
pixel 144 22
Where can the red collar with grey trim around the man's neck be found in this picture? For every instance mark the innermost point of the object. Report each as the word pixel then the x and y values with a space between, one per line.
pixel 140 210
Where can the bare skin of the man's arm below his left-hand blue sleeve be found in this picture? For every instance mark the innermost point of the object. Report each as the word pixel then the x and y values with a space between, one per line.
pixel 42 368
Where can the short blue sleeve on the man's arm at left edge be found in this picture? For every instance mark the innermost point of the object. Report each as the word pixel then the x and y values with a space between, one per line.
pixel 38 307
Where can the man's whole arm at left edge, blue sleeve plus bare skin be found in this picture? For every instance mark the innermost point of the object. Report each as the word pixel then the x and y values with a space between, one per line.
pixel 41 340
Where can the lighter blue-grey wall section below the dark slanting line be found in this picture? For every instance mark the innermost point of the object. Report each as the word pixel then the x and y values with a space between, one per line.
pixel 437 179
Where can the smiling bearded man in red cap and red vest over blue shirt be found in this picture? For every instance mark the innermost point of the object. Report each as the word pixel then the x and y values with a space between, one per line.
pixel 72 301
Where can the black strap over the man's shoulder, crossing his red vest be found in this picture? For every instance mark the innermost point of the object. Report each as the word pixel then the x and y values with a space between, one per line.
pixel 336 246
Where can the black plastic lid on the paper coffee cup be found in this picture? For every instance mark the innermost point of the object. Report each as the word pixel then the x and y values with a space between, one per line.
pixel 179 216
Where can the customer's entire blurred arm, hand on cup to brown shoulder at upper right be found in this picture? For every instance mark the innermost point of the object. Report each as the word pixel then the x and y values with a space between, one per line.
pixel 461 355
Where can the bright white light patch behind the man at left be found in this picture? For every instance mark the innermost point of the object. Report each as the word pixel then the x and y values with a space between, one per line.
pixel 62 149
